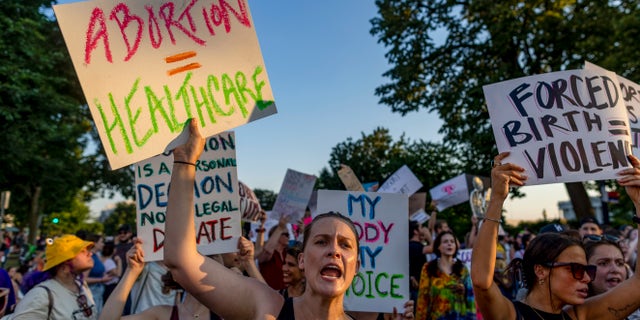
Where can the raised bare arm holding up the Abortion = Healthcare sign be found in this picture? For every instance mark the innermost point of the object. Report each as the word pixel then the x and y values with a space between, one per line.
pixel 213 284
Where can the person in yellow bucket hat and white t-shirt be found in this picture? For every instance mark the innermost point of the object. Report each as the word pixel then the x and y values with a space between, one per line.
pixel 64 295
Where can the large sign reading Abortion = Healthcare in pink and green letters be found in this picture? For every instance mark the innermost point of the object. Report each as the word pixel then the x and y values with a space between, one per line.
pixel 145 67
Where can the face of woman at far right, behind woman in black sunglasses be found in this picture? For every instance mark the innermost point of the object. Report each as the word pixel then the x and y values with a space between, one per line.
pixel 611 269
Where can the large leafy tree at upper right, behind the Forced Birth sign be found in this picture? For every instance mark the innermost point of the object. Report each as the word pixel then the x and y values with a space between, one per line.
pixel 443 52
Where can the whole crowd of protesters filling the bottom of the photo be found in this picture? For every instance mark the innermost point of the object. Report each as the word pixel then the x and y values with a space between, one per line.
pixel 590 272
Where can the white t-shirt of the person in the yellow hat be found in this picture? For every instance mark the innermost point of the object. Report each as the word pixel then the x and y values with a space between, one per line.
pixel 35 304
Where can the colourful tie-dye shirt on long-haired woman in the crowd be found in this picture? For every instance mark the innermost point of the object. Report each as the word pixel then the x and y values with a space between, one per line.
pixel 445 297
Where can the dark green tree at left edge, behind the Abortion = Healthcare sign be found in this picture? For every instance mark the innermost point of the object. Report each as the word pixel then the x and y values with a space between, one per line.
pixel 47 154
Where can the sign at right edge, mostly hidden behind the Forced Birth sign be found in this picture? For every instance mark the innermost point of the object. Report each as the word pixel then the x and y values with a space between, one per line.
pixel 630 92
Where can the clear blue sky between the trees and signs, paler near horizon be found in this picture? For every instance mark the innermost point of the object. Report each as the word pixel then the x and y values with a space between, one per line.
pixel 323 67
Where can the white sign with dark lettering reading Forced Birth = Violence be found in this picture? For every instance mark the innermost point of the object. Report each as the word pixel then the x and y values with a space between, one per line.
pixel 564 126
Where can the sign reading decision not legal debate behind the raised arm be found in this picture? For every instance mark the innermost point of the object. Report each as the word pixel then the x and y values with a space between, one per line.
pixel 216 199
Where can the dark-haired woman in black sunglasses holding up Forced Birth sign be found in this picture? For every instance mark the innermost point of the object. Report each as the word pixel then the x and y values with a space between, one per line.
pixel 555 266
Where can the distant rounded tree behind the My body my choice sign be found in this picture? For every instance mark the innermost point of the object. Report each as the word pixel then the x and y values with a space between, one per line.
pixel 376 156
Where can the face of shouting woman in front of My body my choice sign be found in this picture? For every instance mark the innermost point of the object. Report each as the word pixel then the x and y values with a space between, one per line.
pixel 330 257
